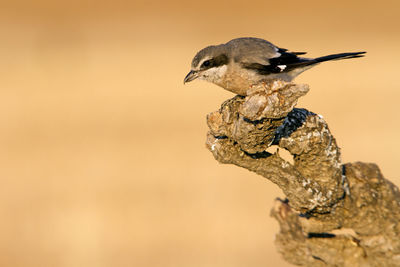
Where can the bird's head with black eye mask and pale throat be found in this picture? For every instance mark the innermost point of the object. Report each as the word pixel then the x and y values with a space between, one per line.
pixel 209 64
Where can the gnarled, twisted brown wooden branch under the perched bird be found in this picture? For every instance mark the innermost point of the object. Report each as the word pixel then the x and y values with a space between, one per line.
pixel 335 214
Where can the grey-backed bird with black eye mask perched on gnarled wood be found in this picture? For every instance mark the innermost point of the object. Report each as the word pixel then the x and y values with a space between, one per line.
pixel 242 62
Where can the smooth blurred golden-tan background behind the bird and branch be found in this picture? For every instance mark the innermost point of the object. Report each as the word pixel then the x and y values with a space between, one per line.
pixel 103 160
